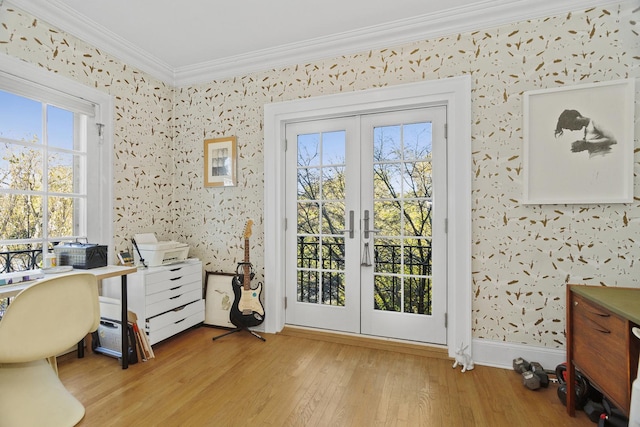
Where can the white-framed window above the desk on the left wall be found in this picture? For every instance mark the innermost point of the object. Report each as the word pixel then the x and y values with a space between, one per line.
pixel 55 165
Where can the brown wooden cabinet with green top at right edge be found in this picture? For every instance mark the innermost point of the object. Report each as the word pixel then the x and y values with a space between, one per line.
pixel 600 343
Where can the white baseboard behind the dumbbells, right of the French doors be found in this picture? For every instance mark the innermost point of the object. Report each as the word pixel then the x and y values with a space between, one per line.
pixel 500 354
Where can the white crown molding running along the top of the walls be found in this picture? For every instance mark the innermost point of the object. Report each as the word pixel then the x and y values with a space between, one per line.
pixel 487 14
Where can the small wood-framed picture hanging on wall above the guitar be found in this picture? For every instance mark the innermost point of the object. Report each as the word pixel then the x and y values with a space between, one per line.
pixel 220 162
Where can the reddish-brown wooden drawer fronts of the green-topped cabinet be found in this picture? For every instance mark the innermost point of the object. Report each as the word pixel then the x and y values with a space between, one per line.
pixel 594 327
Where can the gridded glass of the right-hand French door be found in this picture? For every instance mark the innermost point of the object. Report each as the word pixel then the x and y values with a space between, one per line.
pixel 402 214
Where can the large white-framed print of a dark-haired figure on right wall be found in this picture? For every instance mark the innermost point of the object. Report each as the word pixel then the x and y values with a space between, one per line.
pixel 579 143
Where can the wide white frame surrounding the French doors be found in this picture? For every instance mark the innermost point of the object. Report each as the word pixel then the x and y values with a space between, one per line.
pixel 453 92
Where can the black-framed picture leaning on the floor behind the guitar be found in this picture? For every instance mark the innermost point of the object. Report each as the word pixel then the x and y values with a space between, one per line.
pixel 218 297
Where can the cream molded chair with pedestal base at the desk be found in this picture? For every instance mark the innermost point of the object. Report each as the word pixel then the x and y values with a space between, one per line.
pixel 42 321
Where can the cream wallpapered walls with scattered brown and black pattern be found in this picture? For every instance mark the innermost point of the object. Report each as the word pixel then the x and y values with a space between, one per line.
pixel 522 255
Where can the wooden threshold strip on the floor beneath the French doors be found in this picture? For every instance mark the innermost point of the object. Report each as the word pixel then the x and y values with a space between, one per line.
pixel 379 343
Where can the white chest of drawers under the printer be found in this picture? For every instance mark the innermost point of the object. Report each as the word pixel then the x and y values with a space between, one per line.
pixel 166 299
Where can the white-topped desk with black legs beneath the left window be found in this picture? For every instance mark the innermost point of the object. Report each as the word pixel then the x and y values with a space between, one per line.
pixel 8 291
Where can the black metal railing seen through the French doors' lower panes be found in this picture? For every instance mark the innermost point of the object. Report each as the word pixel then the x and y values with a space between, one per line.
pixel 321 279
